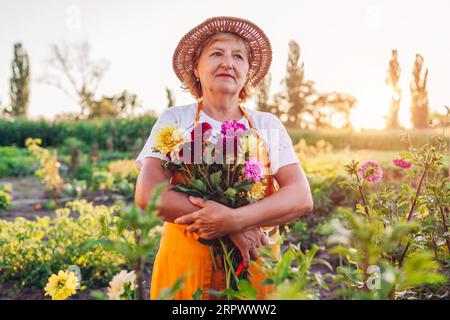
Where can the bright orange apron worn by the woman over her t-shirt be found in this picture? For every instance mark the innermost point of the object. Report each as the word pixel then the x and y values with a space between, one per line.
pixel 181 254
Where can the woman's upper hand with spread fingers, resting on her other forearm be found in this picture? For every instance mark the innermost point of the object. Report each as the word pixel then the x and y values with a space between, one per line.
pixel 212 221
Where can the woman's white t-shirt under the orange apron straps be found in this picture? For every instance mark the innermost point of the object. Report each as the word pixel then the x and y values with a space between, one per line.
pixel 268 126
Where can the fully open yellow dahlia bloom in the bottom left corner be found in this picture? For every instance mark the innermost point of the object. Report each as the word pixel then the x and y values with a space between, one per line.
pixel 61 286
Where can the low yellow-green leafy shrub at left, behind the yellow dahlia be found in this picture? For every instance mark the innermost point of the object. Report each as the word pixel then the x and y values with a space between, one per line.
pixel 33 250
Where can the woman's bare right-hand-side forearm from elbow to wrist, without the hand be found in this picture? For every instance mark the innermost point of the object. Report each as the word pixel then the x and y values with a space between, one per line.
pixel 289 203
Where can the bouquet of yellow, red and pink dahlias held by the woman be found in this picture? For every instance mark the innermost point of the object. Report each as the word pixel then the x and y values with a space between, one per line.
pixel 227 167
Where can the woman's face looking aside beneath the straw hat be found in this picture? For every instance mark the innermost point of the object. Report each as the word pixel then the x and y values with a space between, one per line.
pixel 223 66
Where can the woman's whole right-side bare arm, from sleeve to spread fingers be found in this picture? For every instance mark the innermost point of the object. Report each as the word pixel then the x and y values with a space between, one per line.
pixel 290 202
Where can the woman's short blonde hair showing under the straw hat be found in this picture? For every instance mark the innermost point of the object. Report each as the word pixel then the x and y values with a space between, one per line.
pixel 190 82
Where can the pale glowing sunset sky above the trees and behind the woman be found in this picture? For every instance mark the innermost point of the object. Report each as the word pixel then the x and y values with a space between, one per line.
pixel 345 45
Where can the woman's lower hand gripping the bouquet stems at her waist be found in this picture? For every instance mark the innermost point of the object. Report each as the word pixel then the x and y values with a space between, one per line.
pixel 247 242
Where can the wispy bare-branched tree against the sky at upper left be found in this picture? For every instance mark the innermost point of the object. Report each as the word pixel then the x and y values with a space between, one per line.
pixel 71 70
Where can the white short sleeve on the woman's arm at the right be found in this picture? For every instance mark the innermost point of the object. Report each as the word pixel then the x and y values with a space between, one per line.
pixel 280 146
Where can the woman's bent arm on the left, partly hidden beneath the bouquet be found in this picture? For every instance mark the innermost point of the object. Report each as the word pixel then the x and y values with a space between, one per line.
pixel 173 203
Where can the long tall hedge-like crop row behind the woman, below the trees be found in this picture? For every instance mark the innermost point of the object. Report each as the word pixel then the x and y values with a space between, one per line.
pixel 126 135
